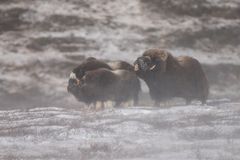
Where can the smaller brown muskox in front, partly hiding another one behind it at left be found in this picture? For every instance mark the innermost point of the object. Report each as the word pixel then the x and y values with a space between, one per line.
pixel 103 85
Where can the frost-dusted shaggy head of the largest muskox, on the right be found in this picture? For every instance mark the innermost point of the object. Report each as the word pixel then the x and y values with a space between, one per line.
pixel 152 60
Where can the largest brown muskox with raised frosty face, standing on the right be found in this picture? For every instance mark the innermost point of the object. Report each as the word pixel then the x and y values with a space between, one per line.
pixel 168 76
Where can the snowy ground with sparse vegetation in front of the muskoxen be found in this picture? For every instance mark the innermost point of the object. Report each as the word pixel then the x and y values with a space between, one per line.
pixel 173 133
